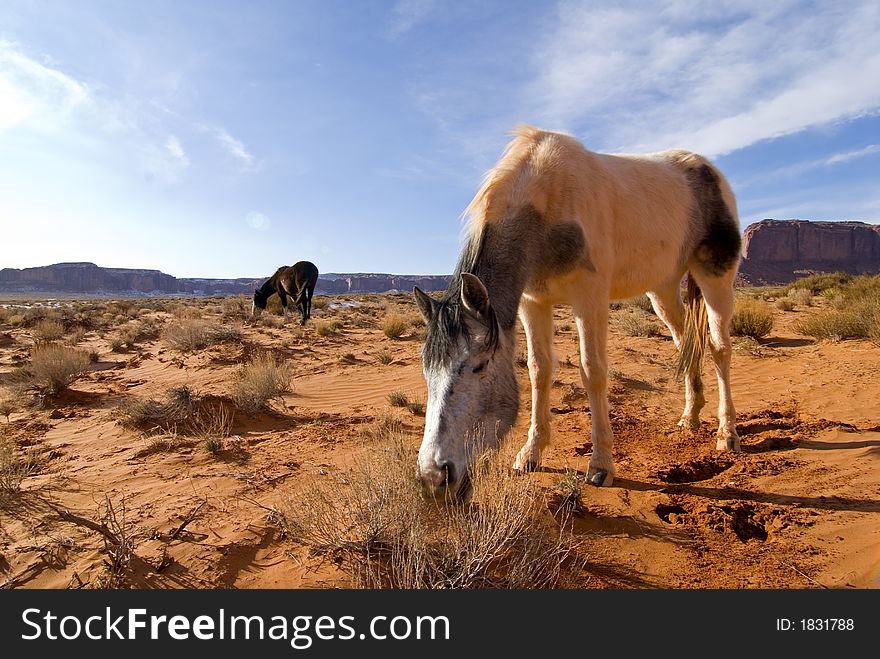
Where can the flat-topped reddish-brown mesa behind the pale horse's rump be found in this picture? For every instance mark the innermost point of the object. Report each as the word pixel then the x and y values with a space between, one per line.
pixel 780 251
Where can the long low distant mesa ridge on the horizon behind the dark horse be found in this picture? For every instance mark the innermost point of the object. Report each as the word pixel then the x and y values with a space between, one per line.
pixel 91 279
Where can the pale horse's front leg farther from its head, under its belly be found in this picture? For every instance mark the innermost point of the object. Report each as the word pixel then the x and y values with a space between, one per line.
pixel 592 324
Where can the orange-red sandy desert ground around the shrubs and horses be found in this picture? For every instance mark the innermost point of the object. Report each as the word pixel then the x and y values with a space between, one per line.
pixel 798 508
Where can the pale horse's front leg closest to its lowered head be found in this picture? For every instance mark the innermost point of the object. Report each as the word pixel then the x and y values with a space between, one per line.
pixel 537 320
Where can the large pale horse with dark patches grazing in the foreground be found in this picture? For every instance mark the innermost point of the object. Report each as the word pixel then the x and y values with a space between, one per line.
pixel 554 223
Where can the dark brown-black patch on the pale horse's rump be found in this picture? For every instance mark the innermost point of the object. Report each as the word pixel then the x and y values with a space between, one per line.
pixel 718 249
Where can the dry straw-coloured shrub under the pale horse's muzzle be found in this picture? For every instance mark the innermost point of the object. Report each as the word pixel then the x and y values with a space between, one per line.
pixel 380 529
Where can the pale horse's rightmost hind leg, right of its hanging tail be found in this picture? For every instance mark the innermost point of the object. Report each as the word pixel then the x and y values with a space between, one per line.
pixel 718 295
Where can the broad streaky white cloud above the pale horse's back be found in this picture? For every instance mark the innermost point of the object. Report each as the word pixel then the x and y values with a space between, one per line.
pixel 647 76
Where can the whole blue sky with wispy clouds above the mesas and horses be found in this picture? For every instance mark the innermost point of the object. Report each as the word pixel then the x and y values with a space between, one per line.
pixel 222 139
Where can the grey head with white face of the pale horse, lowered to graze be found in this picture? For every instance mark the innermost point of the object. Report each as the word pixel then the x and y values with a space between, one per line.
pixel 472 389
